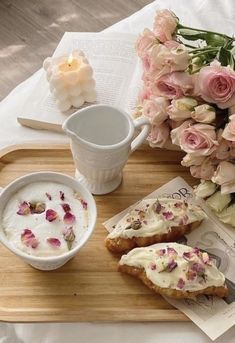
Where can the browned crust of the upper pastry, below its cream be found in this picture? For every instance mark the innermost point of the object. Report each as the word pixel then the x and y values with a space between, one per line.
pixel 119 245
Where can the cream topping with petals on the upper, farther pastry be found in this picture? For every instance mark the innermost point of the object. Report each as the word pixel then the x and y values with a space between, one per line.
pixel 156 216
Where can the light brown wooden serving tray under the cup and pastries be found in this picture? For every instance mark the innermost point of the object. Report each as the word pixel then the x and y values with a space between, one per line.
pixel 87 288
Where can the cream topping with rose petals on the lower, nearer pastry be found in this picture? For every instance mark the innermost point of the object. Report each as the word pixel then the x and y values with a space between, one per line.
pixel 153 263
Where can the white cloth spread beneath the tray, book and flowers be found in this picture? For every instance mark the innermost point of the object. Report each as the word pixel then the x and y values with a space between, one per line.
pixel 218 15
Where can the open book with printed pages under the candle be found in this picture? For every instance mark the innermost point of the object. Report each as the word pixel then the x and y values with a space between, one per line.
pixel 116 71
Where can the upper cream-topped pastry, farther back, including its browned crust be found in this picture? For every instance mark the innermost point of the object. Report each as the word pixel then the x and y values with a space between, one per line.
pixel 154 221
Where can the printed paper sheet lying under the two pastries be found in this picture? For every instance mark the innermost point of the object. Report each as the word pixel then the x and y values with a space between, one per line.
pixel 219 243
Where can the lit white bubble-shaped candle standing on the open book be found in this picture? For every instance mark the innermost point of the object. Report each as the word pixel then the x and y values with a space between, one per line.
pixel 71 80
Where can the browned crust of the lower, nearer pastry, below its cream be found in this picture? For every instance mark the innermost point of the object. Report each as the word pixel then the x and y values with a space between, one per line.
pixel 221 291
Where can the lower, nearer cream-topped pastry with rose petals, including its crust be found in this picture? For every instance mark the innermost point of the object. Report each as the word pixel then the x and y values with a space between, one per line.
pixel 175 270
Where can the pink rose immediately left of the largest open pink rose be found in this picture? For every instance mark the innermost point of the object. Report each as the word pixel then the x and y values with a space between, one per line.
pixel 173 85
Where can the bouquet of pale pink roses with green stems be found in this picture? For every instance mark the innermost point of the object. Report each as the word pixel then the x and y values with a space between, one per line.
pixel 188 95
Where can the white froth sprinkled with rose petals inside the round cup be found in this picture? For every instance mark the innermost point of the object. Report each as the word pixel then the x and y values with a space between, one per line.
pixel 15 224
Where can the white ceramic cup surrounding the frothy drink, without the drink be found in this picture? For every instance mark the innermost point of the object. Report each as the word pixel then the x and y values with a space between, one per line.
pixel 50 262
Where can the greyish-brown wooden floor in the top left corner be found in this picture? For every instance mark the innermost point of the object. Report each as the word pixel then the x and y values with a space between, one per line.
pixel 31 29
